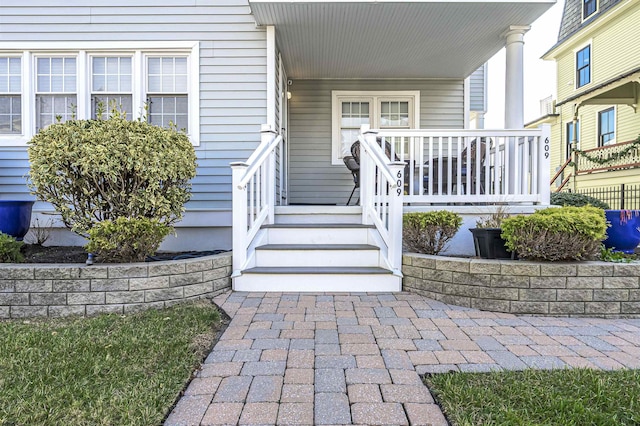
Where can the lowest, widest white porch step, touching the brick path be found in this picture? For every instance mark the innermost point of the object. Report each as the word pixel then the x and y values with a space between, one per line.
pixel 315 279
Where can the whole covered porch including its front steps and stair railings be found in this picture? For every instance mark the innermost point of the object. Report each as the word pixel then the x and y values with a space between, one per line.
pixel 386 83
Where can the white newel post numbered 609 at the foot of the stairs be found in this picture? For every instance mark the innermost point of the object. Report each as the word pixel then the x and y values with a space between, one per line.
pixel 395 216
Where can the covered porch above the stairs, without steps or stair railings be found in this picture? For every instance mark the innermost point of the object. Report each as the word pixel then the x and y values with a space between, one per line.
pixel 397 67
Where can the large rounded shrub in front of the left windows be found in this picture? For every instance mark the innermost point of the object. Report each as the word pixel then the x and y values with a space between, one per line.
pixel 97 170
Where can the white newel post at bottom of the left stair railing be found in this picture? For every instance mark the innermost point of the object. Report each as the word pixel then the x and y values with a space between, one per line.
pixel 239 217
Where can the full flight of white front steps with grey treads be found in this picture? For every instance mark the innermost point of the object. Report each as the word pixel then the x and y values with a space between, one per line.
pixel 317 249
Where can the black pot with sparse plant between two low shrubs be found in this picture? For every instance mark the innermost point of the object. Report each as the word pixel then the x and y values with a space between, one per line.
pixel 487 238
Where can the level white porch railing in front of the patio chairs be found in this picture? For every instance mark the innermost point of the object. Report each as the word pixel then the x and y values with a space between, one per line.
pixel 471 166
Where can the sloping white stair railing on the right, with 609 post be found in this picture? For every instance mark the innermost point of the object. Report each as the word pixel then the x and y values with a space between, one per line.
pixel 381 197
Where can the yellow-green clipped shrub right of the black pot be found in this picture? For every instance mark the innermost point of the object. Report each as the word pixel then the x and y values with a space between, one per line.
pixel 564 233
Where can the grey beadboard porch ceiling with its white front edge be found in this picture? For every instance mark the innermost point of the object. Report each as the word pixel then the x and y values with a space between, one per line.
pixel 390 38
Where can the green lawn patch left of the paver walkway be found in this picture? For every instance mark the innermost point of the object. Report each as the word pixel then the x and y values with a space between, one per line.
pixel 106 370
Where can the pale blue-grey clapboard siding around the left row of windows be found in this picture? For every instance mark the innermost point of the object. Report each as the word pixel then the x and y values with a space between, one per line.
pixel 232 73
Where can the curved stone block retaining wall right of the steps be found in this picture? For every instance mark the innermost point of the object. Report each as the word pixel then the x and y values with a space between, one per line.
pixel 591 289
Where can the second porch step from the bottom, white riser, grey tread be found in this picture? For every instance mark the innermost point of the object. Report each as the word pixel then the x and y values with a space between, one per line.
pixel 317 255
